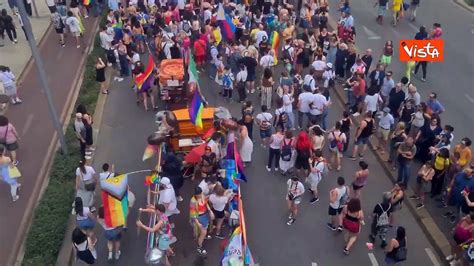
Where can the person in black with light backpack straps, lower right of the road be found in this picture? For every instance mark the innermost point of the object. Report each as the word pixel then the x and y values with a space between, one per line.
pixel 381 220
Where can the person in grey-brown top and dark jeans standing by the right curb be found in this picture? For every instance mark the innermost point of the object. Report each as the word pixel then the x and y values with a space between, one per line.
pixel 405 153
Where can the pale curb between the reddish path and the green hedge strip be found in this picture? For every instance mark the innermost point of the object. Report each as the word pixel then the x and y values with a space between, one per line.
pixel 42 180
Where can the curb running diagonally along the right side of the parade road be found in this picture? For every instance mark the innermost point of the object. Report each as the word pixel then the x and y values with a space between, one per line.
pixel 434 234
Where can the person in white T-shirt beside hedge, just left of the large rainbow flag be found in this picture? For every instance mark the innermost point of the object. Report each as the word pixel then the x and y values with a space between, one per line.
pixel 85 177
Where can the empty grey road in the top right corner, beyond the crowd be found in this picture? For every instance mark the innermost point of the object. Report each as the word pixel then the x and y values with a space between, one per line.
pixel 451 79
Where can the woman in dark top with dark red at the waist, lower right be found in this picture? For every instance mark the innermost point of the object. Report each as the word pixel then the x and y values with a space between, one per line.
pixel 353 218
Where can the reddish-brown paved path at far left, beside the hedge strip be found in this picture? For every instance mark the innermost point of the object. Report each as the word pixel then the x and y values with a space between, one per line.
pixel 34 126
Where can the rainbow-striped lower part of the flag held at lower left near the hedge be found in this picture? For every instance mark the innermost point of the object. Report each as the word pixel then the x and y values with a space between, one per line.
pixel 115 210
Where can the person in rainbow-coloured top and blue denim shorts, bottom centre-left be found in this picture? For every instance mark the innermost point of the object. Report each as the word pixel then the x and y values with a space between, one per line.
pixel 200 214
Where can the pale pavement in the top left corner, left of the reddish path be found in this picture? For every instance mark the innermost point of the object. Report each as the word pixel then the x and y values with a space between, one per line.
pixel 16 56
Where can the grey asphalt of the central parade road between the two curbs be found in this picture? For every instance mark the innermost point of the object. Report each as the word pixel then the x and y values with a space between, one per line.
pixel 122 140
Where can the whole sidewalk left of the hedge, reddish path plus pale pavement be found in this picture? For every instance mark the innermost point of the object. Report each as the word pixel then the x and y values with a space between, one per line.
pixel 33 124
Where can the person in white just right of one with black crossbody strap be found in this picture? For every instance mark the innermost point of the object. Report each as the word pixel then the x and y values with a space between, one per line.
pixel 317 167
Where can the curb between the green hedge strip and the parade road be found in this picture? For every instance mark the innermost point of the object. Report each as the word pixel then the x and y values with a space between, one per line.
pixel 66 253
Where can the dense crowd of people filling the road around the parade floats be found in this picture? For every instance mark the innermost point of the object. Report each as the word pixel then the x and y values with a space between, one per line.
pixel 291 117
